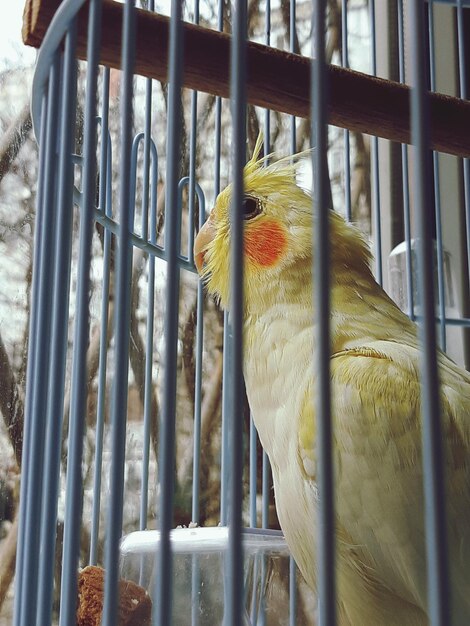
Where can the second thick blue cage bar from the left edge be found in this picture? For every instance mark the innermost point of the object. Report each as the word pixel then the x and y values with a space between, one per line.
pixel 60 315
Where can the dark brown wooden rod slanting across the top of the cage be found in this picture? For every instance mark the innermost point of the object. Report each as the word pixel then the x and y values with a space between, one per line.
pixel 276 79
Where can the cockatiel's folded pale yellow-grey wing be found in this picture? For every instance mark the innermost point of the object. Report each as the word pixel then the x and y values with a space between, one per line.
pixel 376 408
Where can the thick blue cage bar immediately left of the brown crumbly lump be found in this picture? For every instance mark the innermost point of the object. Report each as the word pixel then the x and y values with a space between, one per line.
pixel 73 505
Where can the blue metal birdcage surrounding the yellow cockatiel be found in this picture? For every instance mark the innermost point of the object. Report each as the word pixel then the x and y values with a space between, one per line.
pixel 146 496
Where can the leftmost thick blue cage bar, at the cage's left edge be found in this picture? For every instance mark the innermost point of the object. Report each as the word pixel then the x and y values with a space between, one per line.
pixel 30 580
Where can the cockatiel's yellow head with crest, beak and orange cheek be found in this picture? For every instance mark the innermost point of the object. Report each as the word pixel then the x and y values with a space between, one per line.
pixel 277 234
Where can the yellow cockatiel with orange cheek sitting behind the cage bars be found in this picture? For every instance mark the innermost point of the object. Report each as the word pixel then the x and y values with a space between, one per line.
pixel 375 386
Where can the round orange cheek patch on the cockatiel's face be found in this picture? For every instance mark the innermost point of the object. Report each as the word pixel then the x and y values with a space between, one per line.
pixel 265 242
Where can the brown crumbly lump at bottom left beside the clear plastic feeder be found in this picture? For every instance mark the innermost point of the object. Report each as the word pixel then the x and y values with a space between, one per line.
pixel 134 605
